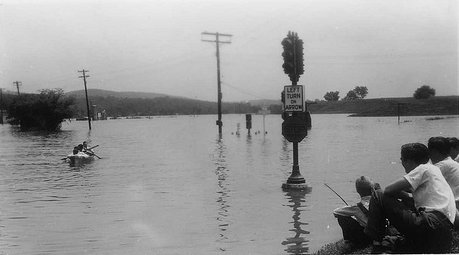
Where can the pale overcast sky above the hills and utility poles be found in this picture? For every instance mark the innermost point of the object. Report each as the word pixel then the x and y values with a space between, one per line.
pixel 390 46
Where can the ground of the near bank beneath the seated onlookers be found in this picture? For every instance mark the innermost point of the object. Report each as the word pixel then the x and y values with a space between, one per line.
pixel 340 248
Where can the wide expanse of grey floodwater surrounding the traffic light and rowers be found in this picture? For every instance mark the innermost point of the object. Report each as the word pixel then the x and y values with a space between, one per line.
pixel 169 185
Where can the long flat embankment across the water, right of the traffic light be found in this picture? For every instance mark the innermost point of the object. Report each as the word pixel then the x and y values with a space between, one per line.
pixel 440 105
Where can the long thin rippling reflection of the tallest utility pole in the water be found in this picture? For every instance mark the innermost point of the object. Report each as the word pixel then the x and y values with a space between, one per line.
pixel 223 192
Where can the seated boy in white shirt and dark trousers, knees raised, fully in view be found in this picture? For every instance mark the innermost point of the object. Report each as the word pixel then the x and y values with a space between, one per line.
pixel 426 226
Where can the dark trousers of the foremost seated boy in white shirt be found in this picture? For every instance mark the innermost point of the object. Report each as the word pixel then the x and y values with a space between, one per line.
pixel 427 232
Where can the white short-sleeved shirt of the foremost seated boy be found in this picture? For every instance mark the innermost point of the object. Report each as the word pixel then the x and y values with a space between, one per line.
pixel 431 191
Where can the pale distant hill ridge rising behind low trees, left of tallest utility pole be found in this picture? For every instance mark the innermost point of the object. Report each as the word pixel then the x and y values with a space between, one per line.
pixel 108 93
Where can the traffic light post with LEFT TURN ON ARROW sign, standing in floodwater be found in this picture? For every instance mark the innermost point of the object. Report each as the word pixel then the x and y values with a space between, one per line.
pixel 294 127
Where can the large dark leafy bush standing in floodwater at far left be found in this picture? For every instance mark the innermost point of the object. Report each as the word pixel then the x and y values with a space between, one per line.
pixel 44 111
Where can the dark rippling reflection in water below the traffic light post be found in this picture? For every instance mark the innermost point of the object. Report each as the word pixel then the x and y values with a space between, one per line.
pixel 297 244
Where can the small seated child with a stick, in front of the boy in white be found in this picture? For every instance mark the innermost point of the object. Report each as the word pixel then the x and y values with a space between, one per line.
pixel 353 219
